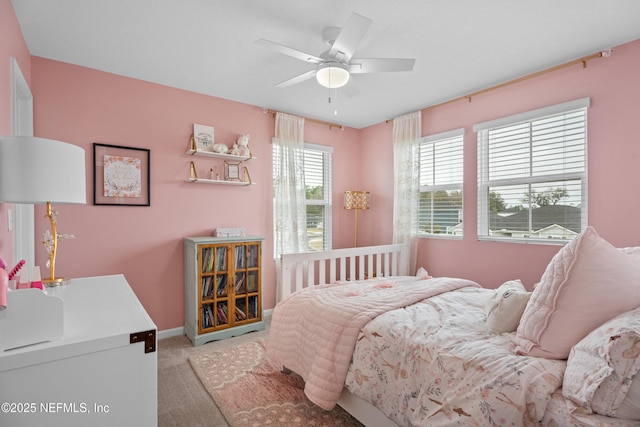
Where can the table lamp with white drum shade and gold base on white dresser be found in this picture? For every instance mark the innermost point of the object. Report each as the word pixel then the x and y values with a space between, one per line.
pixel 42 171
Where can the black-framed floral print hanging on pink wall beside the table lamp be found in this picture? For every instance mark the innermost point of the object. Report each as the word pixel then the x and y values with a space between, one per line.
pixel 121 175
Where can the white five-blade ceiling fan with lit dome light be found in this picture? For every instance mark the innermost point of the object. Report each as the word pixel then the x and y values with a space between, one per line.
pixel 335 66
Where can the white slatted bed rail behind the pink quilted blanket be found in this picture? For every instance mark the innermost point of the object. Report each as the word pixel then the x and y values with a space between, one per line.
pixel 301 270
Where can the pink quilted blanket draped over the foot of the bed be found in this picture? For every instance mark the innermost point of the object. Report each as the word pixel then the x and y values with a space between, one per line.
pixel 314 331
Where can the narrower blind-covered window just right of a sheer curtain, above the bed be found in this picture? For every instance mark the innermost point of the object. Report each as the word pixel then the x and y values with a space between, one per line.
pixel 441 176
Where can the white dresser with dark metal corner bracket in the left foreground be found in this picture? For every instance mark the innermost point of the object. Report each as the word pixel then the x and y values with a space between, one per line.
pixel 102 372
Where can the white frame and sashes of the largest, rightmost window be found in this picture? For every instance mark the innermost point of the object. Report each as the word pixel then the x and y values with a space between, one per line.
pixel 484 183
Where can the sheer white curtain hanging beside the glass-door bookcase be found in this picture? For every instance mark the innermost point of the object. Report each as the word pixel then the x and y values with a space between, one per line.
pixel 290 212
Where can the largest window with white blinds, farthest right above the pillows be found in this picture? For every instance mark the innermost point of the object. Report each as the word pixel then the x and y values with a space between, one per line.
pixel 532 177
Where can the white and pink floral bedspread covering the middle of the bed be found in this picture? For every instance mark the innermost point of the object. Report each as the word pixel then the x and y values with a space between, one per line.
pixel 434 364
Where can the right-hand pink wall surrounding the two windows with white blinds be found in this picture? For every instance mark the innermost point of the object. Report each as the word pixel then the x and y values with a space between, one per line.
pixel 613 156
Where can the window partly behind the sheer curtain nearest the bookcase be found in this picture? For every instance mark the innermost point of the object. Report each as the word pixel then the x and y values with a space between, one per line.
pixel 317 183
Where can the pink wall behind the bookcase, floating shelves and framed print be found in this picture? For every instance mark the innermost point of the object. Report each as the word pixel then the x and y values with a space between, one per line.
pixel 82 106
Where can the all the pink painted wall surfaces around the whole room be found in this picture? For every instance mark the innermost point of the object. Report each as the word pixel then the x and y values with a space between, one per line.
pixel 82 106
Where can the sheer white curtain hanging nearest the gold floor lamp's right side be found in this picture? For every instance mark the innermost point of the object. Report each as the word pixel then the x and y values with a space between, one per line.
pixel 406 195
